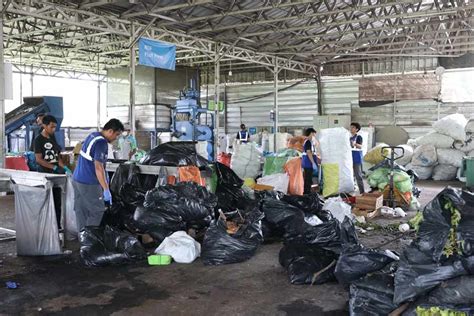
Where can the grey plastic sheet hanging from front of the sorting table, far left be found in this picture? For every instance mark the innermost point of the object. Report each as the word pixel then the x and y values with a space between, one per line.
pixel 35 221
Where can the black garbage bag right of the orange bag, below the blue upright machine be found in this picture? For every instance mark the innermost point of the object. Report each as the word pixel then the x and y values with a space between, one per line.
pixel 230 196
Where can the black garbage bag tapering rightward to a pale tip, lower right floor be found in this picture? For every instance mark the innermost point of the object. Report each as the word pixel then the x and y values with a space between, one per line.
pixel 356 261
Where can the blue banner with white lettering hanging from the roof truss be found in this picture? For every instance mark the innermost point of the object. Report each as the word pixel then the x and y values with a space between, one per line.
pixel 156 54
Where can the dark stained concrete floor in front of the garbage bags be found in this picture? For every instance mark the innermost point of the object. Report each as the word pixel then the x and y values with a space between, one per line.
pixel 62 285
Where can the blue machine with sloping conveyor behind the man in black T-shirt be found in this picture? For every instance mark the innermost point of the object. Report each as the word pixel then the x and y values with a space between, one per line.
pixel 21 122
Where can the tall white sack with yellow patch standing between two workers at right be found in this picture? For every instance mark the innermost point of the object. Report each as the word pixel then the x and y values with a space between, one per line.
pixel 336 161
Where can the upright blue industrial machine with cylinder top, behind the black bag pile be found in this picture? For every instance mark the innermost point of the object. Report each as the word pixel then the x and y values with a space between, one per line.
pixel 190 122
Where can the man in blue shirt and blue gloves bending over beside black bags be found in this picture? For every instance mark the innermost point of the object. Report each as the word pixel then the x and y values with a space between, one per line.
pixel 90 181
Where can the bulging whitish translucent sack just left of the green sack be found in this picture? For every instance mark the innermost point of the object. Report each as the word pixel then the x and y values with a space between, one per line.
pixel 246 160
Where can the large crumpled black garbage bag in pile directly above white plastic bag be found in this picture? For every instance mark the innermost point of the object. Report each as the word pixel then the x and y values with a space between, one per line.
pixel 190 202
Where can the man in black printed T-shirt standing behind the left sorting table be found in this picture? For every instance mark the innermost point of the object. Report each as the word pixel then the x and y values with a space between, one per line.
pixel 47 153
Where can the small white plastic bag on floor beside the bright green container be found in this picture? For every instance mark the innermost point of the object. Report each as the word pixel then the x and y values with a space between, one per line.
pixel 181 247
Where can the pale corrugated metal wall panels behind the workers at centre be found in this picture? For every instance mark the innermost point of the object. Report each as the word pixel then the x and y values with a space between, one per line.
pixel 298 102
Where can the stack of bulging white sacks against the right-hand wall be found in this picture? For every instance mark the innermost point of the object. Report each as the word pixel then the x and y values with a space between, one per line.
pixel 439 154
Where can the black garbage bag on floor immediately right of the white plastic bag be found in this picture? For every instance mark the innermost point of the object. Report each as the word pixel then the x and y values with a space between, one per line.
pixel 219 247
